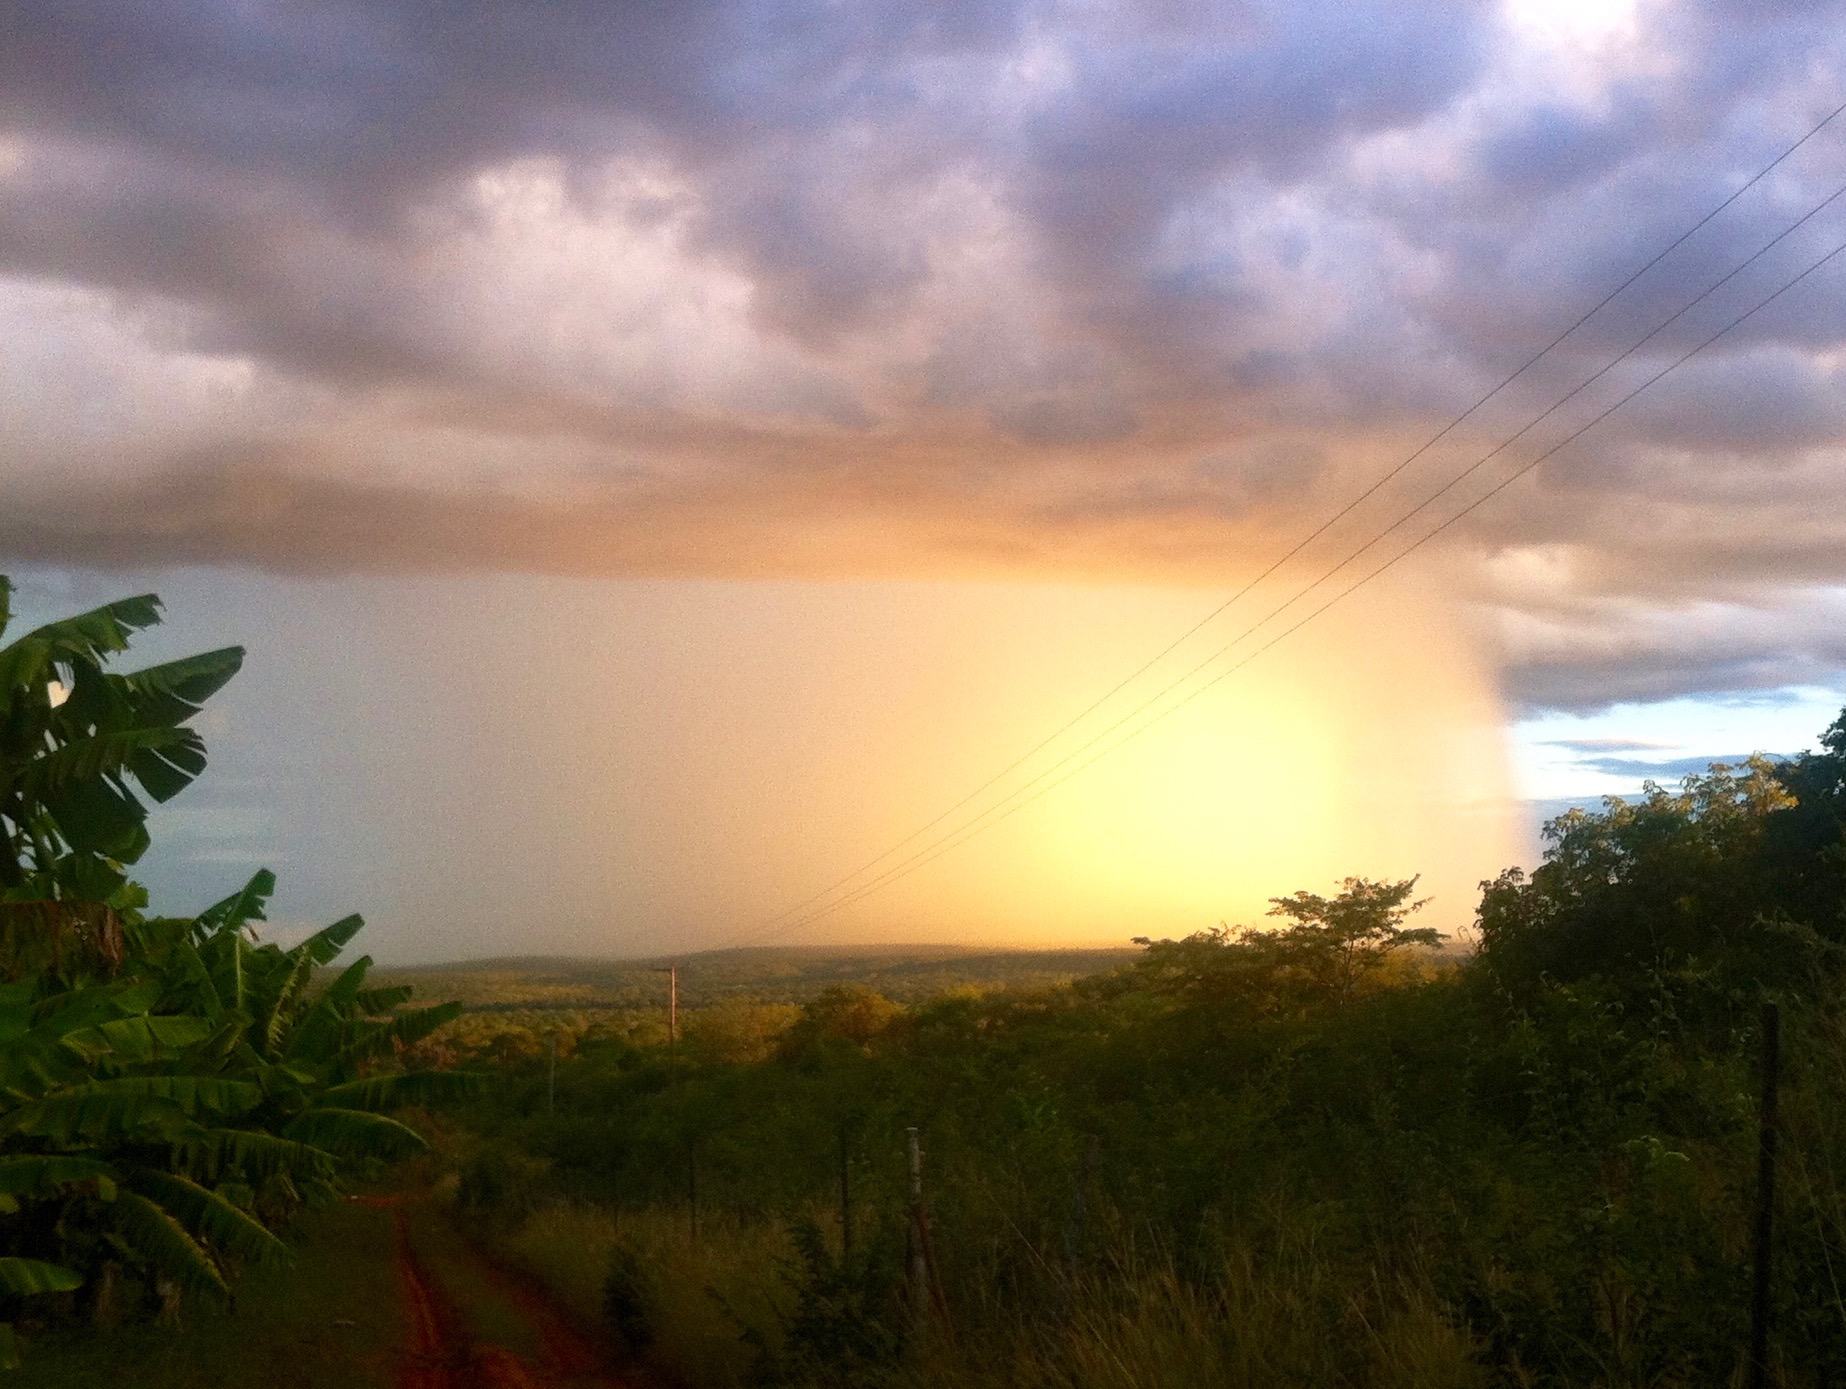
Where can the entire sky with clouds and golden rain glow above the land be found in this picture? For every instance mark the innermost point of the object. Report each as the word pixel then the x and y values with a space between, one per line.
pixel 660 457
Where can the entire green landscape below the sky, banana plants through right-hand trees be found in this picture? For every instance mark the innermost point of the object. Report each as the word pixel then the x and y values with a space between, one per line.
pixel 1319 1152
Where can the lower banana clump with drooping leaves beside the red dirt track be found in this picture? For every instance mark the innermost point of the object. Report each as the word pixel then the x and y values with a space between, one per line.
pixel 158 1109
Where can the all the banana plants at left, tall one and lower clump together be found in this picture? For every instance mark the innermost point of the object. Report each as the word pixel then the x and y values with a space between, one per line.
pixel 169 1087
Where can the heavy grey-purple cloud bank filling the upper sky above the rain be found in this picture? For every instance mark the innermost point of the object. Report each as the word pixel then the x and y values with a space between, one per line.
pixel 743 287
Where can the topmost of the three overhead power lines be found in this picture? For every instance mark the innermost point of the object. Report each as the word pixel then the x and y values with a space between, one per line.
pixel 1321 529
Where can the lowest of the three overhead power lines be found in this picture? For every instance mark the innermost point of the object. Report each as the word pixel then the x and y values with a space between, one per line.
pixel 994 815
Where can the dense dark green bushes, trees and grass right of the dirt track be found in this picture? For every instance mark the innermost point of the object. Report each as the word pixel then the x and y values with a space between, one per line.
pixel 1315 1153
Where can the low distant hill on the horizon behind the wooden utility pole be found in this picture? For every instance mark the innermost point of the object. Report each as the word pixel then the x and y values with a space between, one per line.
pixel 771 974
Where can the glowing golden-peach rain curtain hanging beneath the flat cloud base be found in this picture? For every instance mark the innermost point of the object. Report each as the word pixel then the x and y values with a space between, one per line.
pixel 715 753
